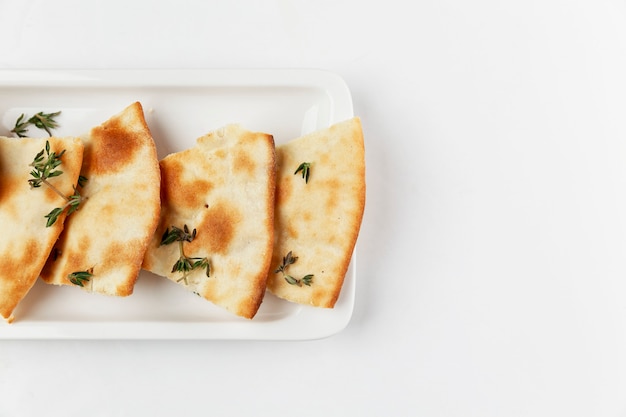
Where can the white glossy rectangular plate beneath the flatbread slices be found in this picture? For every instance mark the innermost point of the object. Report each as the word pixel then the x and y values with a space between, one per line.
pixel 179 107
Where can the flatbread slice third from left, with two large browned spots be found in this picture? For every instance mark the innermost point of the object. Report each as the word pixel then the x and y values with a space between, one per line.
pixel 223 189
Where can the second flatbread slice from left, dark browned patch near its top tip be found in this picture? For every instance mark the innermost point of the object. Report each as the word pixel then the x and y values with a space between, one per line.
pixel 108 235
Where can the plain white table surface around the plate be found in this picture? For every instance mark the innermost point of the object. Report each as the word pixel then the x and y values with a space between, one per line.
pixel 491 260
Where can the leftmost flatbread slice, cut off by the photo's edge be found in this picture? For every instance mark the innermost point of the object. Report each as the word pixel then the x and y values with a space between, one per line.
pixel 26 241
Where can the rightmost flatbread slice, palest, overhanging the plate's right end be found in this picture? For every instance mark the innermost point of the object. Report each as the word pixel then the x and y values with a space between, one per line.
pixel 318 213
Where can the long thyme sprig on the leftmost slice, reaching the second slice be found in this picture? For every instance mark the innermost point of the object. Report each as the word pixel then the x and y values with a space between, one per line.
pixel 45 166
